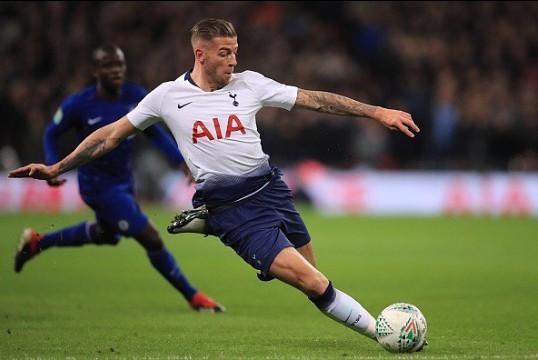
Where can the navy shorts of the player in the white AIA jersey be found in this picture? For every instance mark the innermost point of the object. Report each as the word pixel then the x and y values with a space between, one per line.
pixel 261 226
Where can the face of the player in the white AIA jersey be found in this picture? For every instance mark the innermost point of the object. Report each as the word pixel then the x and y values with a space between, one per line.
pixel 220 59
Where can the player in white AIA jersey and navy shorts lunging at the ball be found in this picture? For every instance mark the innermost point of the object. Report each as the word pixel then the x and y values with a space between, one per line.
pixel 211 113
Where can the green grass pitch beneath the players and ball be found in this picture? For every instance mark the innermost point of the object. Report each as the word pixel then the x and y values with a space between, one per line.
pixel 476 281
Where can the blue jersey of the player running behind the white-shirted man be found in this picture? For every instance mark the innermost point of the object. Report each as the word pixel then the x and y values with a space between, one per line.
pixel 85 112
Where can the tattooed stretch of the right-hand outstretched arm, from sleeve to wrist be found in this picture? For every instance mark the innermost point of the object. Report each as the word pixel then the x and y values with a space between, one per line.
pixel 333 104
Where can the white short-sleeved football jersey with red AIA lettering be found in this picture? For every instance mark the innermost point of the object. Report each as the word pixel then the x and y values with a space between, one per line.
pixel 216 131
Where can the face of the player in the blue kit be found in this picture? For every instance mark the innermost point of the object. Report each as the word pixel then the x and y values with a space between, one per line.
pixel 110 69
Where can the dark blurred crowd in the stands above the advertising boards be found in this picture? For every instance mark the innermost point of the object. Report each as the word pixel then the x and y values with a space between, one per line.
pixel 466 71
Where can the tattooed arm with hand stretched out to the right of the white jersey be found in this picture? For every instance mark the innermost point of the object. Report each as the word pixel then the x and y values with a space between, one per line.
pixel 340 105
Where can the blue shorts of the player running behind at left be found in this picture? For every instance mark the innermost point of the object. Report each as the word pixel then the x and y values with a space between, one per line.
pixel 116 210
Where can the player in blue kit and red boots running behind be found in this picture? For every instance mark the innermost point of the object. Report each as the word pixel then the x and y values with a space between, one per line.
pixel 106 184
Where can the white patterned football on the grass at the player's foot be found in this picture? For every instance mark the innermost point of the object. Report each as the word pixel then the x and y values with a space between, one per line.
pixel 401 328
